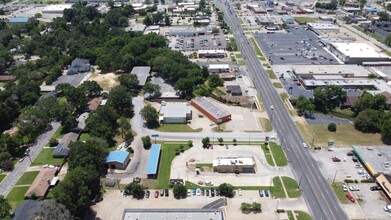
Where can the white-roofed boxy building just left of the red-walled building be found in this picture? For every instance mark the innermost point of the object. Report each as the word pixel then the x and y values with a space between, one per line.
pixel 175 113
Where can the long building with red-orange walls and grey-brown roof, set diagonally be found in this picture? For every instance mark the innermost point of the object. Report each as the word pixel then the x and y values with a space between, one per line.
pixel 211 109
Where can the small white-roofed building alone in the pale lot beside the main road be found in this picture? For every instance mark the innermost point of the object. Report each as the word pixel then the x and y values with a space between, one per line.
pixel 234 165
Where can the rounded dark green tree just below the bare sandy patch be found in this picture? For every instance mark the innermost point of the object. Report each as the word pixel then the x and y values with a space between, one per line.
pixel 121 100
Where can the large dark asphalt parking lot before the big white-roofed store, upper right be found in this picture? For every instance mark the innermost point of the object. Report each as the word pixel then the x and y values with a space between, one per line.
pixel 299 46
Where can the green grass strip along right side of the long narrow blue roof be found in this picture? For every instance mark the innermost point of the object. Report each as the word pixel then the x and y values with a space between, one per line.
pixel 167 155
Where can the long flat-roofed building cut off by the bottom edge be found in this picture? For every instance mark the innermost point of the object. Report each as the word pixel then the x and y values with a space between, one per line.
pixel 177 214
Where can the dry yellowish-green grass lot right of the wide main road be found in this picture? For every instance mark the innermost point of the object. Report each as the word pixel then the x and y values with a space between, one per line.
pixel 346 135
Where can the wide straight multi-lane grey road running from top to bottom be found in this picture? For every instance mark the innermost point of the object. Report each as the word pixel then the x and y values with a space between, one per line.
pixel 317 192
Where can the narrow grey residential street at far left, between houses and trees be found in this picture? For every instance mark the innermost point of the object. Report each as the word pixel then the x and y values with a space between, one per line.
pixel 12 177
